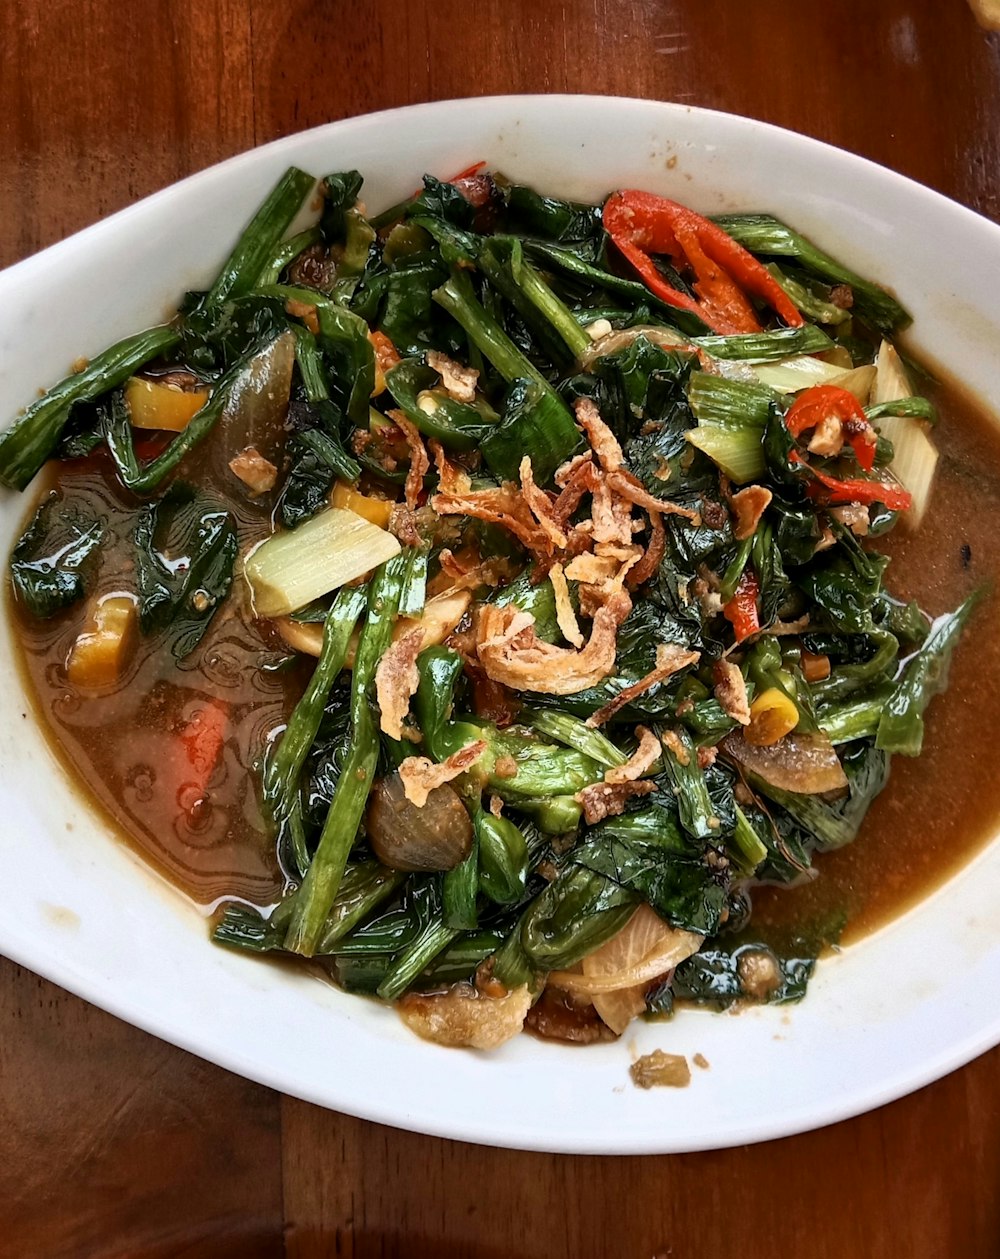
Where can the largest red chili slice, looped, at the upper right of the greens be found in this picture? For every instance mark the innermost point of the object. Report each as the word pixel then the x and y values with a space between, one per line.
pixel 642 225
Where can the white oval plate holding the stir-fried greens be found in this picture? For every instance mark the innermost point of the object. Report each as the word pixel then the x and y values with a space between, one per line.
pixel 889 1015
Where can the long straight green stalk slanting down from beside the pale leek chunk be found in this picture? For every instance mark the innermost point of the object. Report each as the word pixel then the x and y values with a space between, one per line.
pixel 322 883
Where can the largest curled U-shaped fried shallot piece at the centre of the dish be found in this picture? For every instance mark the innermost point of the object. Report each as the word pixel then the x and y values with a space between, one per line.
pixel 512 653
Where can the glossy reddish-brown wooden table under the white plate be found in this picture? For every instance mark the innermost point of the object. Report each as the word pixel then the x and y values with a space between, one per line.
pixel 118 1145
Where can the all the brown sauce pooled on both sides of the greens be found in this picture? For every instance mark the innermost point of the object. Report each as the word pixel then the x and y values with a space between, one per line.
pixel 934 815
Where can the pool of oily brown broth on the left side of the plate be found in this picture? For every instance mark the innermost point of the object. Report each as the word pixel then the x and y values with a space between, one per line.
pixel 125 746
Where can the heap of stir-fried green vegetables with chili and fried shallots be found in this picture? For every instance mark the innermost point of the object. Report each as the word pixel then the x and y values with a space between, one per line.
pixel 548 538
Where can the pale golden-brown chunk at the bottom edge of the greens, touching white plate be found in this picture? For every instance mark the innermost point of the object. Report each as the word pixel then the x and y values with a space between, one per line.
pixel 465 1018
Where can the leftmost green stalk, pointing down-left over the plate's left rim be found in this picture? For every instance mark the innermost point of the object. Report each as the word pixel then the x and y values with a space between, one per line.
pixel 35 435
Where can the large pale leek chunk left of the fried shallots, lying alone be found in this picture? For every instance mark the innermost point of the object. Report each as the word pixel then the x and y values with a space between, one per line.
pixel 293 568
